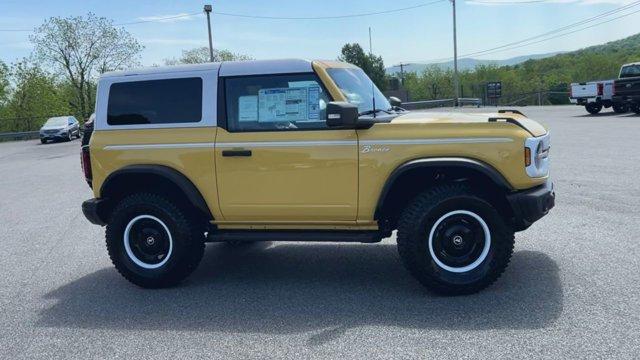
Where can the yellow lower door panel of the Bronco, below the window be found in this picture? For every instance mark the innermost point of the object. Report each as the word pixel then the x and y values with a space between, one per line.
pixel 291 176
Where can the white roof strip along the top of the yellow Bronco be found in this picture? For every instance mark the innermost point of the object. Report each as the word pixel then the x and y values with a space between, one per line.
pixel 226 68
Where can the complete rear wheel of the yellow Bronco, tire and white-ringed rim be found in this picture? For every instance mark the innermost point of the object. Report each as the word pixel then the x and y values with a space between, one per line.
pixel 152 242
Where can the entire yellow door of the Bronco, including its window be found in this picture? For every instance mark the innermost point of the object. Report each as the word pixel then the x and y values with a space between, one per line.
pixel 276 160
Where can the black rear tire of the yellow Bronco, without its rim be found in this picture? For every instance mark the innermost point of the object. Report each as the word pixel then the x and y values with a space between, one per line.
pixel 186 235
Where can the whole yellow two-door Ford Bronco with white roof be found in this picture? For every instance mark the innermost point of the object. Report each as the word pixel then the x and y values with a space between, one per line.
pixel 296 150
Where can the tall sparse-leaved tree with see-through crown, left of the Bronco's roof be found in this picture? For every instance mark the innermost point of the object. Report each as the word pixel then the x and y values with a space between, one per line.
pixel 81 48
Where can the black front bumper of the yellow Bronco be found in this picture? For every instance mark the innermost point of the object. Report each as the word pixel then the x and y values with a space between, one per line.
pixel 530 205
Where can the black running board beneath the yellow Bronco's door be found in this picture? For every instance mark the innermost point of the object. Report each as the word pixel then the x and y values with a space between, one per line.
pixel 294 235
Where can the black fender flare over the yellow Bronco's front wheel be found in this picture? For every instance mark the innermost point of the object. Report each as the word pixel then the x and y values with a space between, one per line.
pixel 448 162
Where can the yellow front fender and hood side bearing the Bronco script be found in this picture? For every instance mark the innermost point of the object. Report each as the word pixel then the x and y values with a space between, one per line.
pixel 386 146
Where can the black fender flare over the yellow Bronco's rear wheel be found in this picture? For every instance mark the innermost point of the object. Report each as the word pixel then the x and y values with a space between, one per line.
pixel 191 192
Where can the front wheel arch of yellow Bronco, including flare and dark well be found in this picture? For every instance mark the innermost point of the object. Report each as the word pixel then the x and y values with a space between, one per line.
pixel 414 176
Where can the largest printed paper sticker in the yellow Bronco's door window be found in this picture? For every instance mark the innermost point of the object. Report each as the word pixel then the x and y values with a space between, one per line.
pixel 288 104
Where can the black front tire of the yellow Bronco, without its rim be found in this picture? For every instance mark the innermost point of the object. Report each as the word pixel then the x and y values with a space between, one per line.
pixel 414 228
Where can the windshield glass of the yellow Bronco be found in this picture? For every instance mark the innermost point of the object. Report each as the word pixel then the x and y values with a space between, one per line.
pixel 358 89
